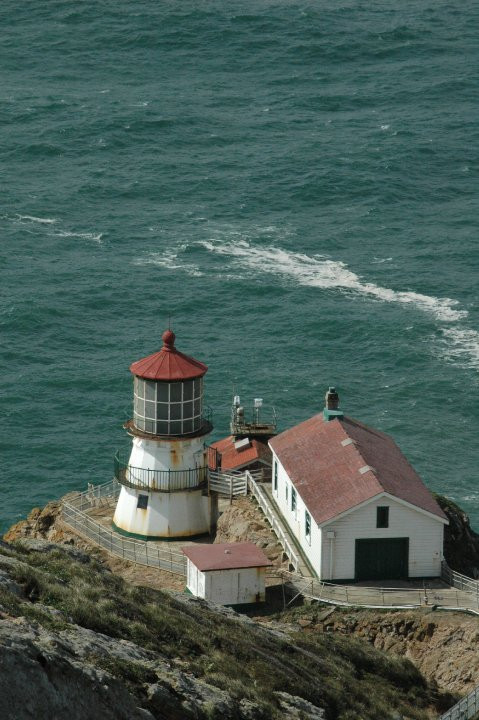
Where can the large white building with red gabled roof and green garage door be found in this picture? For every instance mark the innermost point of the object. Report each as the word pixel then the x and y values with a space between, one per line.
pixel 356 506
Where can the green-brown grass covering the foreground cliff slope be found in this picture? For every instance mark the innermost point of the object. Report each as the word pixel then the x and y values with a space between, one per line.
pixel 347 677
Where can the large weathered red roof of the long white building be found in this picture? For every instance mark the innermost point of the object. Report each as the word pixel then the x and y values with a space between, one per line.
pixel 338 464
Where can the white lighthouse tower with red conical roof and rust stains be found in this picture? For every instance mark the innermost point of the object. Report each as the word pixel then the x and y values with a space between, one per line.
pixel 164 478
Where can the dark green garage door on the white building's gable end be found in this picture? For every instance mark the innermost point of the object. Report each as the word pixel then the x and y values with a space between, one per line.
pixel 382 559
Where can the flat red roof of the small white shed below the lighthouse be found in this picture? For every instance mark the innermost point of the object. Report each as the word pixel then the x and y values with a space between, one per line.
pixel 226 556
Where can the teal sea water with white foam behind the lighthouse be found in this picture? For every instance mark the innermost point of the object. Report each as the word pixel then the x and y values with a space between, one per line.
pixel 294 182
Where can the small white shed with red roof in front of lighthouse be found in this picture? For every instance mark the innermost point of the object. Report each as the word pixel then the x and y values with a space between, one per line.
pixel 227 573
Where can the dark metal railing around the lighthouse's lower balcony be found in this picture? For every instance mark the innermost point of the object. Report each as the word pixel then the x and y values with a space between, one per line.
pixel 159 480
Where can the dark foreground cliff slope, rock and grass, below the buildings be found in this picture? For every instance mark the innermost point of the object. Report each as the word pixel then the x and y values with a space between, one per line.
pixel 77 642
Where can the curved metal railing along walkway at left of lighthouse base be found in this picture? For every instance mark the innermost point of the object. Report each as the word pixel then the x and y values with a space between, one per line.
pixel 137 551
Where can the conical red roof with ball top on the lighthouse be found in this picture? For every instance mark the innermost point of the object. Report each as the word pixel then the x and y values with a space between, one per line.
pixel 168 364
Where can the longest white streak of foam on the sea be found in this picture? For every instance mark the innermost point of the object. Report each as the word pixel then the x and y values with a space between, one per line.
pixel 319 271
